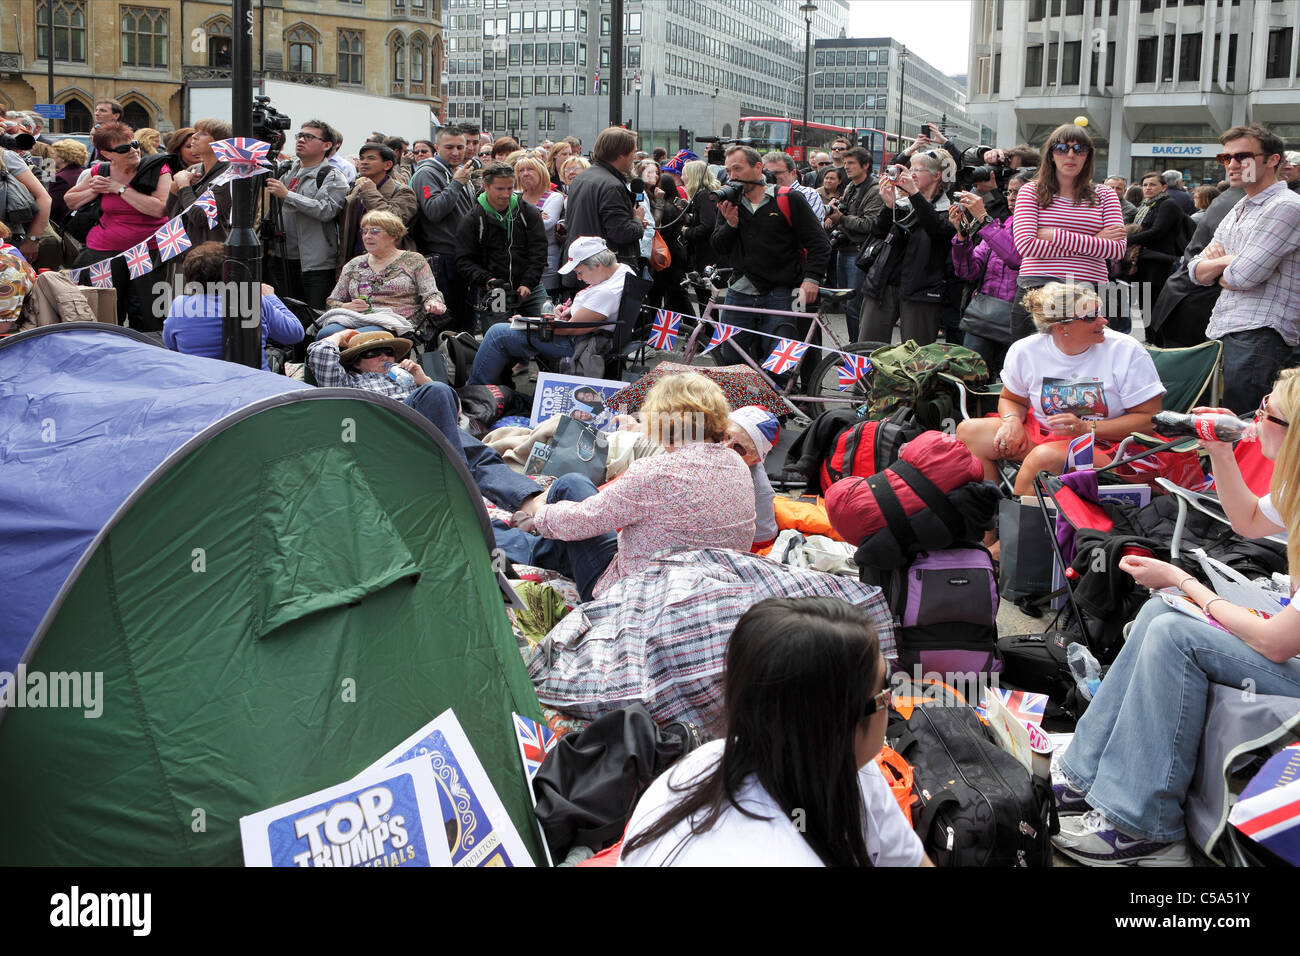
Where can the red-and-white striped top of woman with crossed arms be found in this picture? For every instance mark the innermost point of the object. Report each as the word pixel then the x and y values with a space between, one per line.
pixel 1074 252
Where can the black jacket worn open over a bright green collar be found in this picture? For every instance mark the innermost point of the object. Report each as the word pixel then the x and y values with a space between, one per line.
pixel 486 253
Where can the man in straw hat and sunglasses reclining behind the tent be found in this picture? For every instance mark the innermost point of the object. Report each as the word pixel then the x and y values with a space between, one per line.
pixel 362 361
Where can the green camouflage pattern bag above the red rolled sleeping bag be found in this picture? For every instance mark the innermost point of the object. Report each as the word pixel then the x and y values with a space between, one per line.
pixel 908 375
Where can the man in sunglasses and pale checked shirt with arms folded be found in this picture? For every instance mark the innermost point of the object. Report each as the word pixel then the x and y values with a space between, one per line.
pixel 1255 257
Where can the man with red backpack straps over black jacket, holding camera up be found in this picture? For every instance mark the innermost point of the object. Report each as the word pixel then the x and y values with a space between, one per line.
pixel 775 245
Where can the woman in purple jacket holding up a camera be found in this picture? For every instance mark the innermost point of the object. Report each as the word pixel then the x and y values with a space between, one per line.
pixel 983 253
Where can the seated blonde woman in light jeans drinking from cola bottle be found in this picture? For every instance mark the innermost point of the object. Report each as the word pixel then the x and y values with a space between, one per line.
pixel 1128 771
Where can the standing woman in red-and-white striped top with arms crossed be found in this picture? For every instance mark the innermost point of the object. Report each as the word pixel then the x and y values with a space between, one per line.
pixel 1065 228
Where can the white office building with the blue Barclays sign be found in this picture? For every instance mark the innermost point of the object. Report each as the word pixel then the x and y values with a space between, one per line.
pixel 1160 81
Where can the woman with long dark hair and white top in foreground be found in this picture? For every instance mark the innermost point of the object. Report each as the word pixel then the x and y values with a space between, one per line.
pixel 794 782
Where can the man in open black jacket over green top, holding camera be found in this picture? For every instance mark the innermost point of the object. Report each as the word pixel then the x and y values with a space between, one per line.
pixel 504 249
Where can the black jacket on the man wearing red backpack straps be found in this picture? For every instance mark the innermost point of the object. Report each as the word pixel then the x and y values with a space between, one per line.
pixel 774 253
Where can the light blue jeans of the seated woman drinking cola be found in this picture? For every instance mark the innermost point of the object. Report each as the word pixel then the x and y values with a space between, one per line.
pixel 1134 752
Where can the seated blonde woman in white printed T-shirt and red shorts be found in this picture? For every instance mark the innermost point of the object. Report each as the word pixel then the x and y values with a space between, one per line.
pixel 1076 377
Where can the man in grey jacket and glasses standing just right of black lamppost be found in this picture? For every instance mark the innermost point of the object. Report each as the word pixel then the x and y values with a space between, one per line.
pixel 311 197
